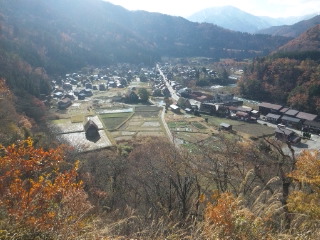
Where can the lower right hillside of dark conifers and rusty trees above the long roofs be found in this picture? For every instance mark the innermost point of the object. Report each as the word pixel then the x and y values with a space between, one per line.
pixel 285 81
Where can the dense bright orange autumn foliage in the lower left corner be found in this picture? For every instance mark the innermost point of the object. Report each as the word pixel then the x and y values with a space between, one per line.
pixel 39 190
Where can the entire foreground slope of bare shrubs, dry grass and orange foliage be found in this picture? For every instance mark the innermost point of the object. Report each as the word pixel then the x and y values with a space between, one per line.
pixel 234 190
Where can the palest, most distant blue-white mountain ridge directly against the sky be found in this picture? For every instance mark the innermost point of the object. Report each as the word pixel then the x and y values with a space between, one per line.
pixel 232 18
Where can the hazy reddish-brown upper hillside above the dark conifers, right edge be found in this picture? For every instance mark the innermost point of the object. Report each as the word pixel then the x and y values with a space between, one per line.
pixel 307 41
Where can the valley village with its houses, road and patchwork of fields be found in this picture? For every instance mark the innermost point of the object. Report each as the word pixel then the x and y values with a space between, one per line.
pixel 100 107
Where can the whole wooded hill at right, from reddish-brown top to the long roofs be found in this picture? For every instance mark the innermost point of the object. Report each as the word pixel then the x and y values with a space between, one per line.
pixel 290 76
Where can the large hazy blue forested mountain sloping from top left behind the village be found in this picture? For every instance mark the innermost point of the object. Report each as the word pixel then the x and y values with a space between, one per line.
pixel 60 36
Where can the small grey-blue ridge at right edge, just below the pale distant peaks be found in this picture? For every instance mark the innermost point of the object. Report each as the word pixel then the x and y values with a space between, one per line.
pixel 292 30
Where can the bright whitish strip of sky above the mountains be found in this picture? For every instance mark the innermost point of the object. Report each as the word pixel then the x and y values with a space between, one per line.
pixel 184 8
